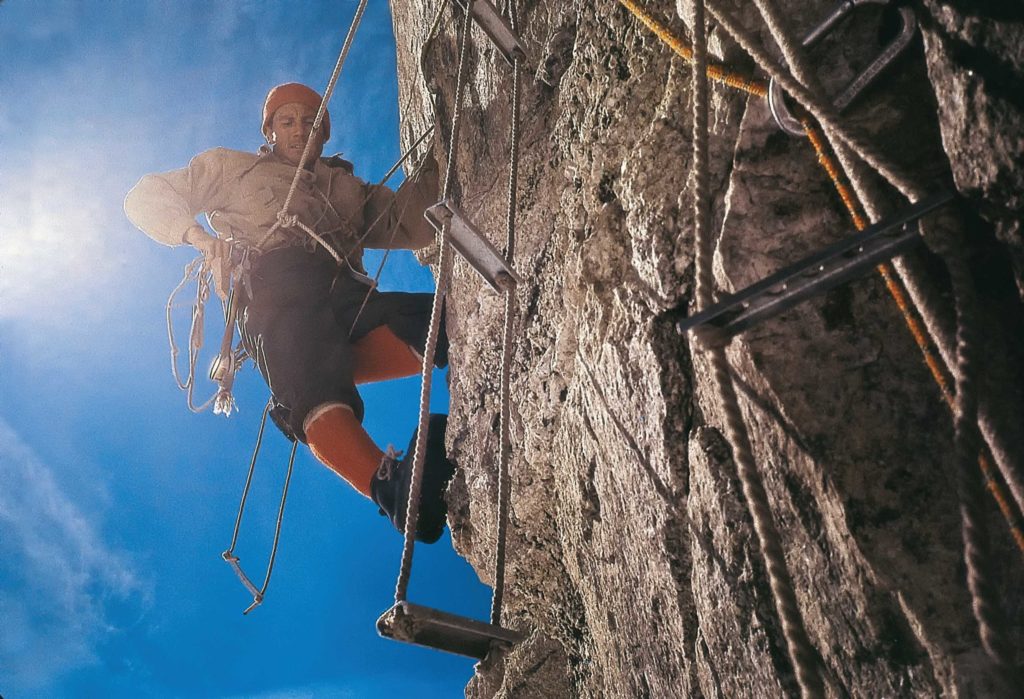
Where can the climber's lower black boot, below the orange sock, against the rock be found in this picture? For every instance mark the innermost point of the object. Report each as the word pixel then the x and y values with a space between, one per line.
pixel 390 488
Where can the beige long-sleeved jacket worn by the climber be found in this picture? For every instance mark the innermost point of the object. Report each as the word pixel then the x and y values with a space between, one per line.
pixel 242 193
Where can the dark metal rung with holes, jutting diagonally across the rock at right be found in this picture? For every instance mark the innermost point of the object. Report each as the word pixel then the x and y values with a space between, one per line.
pixel 817 274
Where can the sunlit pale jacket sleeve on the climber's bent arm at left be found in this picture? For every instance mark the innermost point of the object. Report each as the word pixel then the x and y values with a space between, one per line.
pixel 164 206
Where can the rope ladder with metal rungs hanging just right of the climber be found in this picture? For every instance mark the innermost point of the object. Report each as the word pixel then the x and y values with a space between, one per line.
pixel 406 622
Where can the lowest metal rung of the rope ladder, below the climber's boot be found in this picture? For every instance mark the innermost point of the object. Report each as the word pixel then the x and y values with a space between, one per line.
pixel 444 632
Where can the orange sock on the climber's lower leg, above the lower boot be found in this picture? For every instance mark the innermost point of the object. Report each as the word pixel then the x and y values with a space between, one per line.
pixel 339 442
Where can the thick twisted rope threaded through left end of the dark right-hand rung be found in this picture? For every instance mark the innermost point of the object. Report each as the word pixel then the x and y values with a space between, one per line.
pixel 802 653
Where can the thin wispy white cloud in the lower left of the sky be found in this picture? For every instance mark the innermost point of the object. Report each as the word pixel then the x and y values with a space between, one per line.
pixel 60 579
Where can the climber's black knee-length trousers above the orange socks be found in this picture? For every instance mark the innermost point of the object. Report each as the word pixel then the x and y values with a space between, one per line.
pixel 295 324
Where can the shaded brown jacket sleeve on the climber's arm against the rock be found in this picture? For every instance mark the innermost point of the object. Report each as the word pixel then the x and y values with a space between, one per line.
pixel 409 203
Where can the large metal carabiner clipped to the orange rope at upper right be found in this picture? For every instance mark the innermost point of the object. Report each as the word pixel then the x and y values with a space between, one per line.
pixel 909 25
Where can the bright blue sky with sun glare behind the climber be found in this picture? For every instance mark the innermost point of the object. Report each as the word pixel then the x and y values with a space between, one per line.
pixel 115 501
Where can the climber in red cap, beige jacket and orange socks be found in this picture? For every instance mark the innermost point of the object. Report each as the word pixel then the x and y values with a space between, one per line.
pixel 302 314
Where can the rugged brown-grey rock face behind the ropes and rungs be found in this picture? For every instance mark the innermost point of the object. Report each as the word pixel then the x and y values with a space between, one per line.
pixel 632 561
